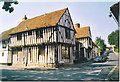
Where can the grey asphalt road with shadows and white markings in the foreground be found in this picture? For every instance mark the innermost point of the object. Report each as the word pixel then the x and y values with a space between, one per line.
pixel 93 71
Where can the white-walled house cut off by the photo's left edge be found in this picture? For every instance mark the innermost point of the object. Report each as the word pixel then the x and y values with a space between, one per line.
pixel 5 53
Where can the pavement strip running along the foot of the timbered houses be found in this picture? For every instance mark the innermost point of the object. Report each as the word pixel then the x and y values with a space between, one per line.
pixel 15 67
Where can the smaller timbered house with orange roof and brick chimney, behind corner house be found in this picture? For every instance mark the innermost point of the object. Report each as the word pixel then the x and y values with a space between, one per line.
pixel 84 36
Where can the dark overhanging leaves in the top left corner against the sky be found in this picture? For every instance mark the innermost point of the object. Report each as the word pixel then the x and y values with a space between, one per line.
pixel 7 5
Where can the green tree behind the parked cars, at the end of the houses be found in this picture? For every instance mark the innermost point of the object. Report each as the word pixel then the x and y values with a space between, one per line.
pixel 101 45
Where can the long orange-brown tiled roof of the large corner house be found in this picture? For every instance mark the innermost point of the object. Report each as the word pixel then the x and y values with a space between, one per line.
pixel 46 20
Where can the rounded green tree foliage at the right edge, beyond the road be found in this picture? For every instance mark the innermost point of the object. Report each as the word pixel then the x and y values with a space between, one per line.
pixel 113 38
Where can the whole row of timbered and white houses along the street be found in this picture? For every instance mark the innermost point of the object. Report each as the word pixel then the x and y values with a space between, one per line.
pixel 49 40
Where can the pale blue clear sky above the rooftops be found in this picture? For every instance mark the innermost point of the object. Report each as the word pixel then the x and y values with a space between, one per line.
pixel 93 14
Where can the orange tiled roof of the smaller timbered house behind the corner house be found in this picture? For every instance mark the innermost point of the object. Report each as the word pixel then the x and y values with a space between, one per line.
pixel 82 32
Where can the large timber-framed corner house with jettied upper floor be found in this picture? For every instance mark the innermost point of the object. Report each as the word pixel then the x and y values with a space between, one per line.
pixel 47 40
